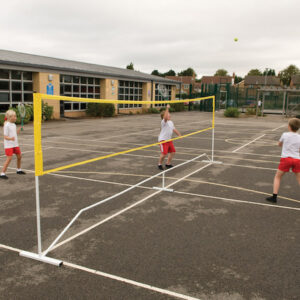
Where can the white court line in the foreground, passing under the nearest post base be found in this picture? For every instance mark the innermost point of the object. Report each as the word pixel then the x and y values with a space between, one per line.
pixel 117 278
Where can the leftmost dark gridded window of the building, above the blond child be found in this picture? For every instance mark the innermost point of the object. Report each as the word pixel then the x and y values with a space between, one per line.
pixel 15 87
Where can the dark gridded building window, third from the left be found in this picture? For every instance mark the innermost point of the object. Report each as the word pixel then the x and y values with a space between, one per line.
pixel 130 90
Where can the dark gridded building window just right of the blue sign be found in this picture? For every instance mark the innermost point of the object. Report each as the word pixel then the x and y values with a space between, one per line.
pixel 81 87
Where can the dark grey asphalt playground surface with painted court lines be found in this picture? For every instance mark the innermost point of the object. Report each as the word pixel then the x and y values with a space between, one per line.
pixel 213 237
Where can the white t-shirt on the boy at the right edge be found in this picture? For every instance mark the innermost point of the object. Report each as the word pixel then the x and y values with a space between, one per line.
pixel 291 145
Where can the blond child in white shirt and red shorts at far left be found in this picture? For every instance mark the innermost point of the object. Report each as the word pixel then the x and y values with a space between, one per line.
pixel 11 145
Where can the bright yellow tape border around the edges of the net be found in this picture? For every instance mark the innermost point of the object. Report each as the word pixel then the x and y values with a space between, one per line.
pixel 38 118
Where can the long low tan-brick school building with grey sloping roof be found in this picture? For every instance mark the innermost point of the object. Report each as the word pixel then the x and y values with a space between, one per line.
pixel 23 74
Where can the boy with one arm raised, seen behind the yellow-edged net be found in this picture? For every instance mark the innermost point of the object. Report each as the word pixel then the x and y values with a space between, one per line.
pixel 167 128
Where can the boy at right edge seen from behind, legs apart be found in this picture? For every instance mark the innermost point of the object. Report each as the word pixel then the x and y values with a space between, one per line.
pixel 290 156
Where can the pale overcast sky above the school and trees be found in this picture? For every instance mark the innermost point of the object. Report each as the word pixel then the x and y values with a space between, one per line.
pixel 158 34
